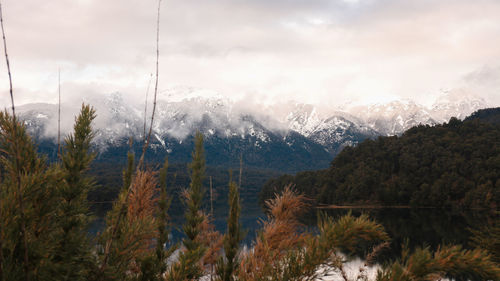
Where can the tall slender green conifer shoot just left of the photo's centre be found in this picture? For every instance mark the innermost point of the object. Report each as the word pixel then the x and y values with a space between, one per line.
pixel 188 265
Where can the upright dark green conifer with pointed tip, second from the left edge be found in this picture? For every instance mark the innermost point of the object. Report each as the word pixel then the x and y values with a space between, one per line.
pixel 73 255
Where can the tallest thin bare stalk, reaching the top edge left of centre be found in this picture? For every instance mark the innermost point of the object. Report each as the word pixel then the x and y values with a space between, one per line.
pixel 107 247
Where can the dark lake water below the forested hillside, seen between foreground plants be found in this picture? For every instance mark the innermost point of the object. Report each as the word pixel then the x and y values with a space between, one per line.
pixel 420 227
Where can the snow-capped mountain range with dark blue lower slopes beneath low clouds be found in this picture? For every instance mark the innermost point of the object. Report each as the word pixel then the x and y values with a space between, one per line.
pixel 298 135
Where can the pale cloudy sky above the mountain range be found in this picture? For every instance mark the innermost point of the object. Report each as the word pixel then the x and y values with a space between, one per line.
pixel 314 51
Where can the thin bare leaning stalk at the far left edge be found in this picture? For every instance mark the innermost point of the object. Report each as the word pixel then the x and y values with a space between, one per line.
pixel 18 176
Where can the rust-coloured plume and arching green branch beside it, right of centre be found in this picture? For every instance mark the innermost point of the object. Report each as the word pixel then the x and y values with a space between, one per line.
pixel 288 253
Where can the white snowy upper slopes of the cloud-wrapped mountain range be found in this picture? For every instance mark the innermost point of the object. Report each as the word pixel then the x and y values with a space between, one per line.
pixel 215 116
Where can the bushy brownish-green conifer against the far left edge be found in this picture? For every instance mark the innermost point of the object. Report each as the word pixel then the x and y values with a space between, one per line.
pixel 29 205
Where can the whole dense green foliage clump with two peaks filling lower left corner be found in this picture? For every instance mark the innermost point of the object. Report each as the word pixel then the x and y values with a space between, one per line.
pixel 47 205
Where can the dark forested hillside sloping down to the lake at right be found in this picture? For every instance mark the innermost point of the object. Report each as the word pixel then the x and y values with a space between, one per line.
pixel 456 164
